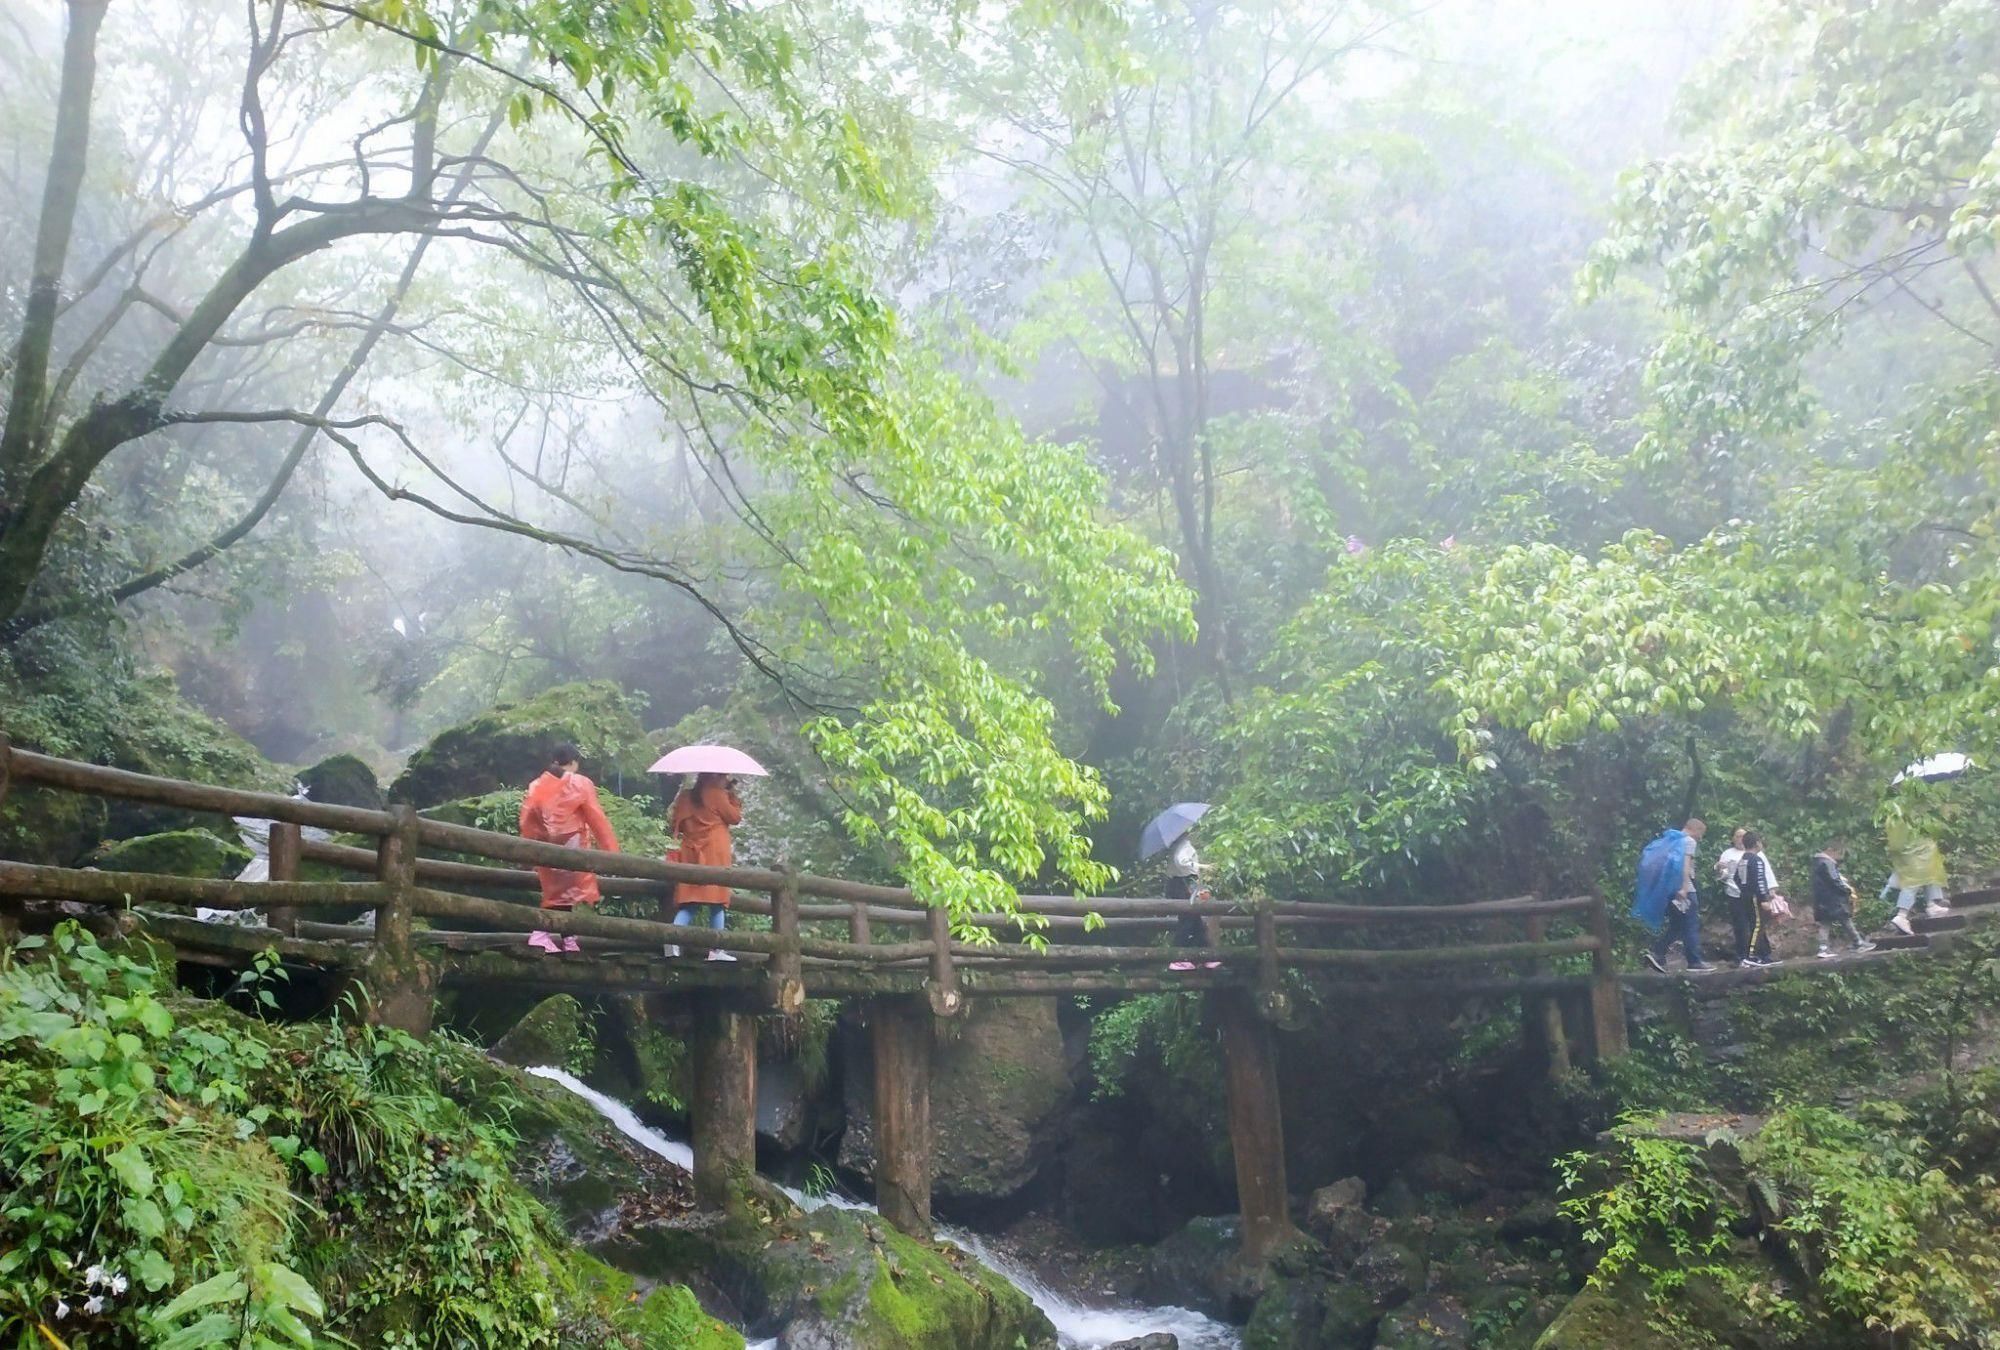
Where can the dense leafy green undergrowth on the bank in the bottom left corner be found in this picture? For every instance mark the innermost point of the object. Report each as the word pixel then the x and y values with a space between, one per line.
pixel 183 1175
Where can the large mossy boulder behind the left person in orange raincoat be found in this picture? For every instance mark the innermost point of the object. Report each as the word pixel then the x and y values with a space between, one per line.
pixel 509 745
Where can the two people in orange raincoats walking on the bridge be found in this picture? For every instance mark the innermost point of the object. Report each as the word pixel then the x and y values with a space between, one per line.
pixel 563 809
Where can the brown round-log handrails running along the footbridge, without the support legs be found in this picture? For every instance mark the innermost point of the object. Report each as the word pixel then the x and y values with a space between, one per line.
pixel 401 893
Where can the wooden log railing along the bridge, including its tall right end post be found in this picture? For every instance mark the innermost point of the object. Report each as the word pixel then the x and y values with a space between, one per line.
pixel 1055 945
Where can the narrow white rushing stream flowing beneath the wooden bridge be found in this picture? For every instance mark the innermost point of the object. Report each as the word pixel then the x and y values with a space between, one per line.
pixel 1081 1327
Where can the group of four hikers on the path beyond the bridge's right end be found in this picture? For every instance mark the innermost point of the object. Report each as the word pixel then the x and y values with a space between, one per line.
pixel 1671 905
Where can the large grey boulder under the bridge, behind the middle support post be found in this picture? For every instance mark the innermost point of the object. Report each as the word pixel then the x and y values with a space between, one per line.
pixel 995 1091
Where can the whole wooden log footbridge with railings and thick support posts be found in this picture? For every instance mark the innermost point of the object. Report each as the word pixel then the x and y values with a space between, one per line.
pixel 911 965
